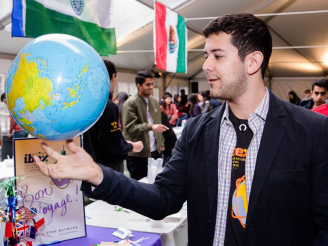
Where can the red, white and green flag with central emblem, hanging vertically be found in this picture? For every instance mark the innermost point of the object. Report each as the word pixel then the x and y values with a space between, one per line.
pixel 170 40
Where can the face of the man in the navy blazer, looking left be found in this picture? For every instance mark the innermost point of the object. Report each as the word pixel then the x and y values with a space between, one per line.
pixel 224 70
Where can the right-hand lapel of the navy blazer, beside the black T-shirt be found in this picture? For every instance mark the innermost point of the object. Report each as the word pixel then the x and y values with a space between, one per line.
pixel 272 134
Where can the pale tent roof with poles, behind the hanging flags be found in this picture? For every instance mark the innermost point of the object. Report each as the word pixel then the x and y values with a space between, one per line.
pixel 288 30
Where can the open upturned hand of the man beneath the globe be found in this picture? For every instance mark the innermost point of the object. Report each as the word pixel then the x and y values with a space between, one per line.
pixel 78 165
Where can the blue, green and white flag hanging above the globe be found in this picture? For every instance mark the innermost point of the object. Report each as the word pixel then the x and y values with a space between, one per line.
pixel 89 20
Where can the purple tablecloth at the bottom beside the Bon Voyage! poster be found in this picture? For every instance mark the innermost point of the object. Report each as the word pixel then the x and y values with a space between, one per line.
pixel 97 234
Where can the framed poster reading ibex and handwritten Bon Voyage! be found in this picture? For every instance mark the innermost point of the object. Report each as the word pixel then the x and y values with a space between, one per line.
pixel 59 201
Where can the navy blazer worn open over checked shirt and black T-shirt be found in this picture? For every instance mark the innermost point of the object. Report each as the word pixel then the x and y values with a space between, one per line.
pixel 288 202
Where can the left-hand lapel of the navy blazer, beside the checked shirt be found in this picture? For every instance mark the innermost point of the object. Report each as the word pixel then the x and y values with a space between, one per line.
pixel 212 135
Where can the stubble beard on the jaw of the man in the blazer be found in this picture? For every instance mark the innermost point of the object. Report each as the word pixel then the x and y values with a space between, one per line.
pixel 233 89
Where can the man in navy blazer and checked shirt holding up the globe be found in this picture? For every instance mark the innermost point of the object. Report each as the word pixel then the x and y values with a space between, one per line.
pixel 254 171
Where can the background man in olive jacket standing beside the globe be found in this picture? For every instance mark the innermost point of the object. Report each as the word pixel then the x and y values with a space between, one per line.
pixel 141 117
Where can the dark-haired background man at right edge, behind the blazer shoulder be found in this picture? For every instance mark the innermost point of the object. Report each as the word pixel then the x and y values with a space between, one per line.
pixel 319 94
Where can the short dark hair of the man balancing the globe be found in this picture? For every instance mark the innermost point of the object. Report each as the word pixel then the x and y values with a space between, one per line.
pixel 248 34
